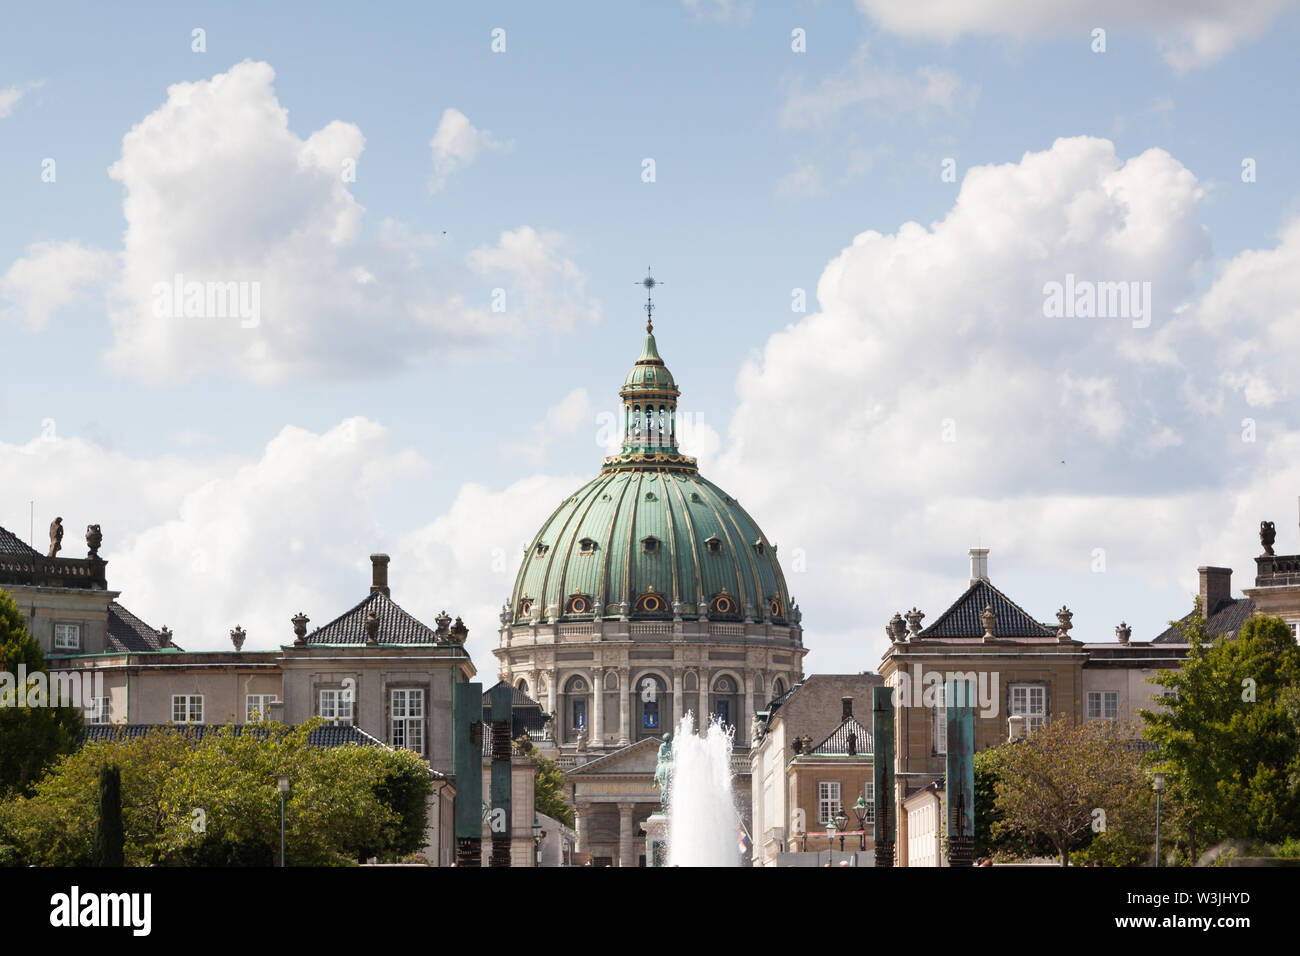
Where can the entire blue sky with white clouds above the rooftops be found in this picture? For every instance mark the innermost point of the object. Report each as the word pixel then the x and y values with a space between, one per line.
pixel 891 241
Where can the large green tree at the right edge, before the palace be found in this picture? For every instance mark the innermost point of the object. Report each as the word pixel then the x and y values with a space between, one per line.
pixel 1229 736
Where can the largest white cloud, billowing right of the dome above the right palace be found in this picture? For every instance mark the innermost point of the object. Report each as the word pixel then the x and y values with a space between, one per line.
pixel 930 404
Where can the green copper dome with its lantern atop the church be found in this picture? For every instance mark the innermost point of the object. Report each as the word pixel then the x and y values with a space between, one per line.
pixel 649 538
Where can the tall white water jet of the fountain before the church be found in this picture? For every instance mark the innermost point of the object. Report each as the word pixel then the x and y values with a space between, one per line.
pixel 700 824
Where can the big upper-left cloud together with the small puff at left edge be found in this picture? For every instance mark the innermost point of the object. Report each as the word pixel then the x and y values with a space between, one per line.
pixel 220 191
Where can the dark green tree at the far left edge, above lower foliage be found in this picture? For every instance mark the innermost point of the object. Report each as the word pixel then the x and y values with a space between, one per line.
pixel 32 738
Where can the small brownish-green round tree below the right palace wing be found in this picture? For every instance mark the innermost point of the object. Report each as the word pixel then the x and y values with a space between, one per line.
pixel 1068 781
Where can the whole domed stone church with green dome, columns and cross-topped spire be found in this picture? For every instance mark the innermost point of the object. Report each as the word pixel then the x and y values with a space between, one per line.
pixel 648 594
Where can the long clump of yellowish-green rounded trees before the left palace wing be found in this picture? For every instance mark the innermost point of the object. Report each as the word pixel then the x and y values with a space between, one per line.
pixel 215 803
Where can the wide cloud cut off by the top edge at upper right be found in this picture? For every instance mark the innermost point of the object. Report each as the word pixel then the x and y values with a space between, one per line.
pixel 1189 34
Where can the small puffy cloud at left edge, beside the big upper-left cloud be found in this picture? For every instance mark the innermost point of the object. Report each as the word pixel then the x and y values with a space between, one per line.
pixel 53 275
